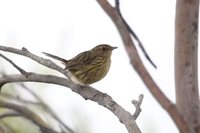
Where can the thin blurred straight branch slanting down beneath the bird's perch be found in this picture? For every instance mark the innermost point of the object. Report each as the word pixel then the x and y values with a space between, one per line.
pixel 47 108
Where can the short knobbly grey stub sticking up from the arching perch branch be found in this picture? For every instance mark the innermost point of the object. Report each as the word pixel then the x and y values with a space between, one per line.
pixel 137 105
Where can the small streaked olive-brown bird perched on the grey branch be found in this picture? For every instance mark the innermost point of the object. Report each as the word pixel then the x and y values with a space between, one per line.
pixel 90 66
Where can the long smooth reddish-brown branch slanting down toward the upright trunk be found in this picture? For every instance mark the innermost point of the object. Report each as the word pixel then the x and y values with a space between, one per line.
pixel 141 70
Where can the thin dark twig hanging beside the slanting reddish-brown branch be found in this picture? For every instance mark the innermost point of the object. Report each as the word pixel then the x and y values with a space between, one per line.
pixel 117 6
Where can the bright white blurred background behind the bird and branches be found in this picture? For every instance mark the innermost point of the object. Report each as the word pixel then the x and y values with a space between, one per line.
pixel 66 28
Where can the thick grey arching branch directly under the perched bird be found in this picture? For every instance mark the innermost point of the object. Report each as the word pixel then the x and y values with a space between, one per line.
pixel 86 92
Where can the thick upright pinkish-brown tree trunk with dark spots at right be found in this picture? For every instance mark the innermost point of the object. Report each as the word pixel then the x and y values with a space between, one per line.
pixel 186 62
